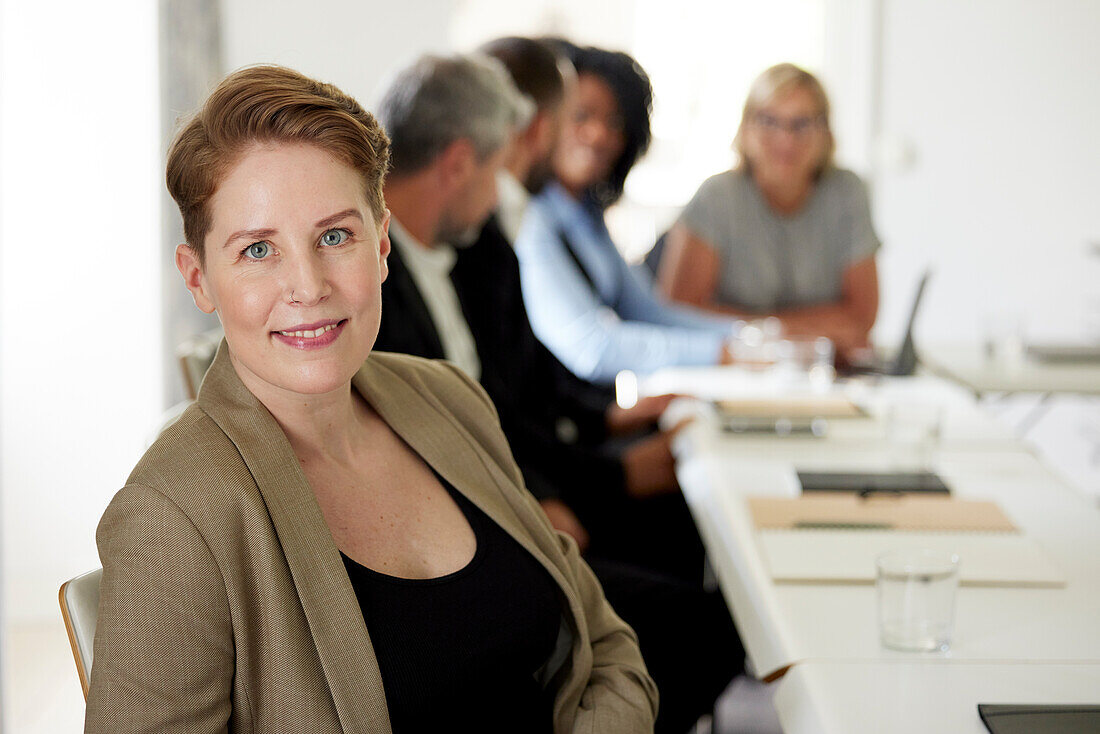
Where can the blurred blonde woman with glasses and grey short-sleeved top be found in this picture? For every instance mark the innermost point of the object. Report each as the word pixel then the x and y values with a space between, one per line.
pixel 786 234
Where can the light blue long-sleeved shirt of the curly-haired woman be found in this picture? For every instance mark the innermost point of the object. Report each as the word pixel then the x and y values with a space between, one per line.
pixel 615 323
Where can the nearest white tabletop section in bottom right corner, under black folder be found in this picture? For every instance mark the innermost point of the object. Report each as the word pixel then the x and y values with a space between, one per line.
pixel 915 698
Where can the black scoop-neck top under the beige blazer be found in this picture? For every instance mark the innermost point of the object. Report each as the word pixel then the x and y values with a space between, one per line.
pixel 460 652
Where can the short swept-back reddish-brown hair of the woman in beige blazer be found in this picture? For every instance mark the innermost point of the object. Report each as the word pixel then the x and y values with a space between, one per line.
pixel 263 105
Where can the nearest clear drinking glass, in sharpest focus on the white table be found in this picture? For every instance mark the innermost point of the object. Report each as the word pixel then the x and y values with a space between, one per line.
pixel 917 599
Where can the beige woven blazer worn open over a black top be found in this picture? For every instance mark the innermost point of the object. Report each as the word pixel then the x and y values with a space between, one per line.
pixel 225 605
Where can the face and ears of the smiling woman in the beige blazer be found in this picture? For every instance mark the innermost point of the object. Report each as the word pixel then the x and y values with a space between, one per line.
pixel 294 271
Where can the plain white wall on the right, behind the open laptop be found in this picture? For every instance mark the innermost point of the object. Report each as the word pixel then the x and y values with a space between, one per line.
pixel 998 101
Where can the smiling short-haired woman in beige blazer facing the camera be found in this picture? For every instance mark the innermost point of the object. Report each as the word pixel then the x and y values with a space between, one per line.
pixel 333 540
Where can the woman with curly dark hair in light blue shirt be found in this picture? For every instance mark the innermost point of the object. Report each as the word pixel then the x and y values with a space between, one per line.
pixel 584 301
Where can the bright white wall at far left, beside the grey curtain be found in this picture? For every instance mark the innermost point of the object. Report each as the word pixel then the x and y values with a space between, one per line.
pixel 80 243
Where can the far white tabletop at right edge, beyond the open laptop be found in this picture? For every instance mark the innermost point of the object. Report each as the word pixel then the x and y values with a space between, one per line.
pixel 972 367
